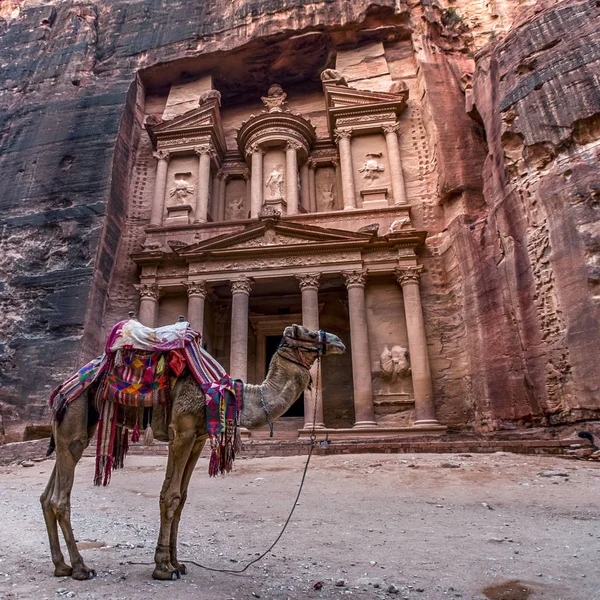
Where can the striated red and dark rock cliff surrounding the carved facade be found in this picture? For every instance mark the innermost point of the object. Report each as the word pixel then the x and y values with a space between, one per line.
pixel 500 157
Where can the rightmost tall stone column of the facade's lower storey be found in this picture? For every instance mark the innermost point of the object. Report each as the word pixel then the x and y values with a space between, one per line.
pixel 408 278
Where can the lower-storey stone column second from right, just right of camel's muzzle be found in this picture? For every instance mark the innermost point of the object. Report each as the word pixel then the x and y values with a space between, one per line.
pixel 361 358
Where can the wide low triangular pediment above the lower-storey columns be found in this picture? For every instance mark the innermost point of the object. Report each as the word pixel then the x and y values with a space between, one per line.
pixel 273 235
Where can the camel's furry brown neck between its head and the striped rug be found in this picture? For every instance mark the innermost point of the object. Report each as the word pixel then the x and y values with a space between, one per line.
pixel 283 385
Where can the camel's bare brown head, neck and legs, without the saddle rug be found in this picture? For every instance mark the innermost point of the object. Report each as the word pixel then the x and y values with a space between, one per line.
pixel 288 376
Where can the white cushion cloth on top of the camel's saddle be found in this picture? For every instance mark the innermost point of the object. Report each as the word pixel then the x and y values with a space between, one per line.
pixel 139 337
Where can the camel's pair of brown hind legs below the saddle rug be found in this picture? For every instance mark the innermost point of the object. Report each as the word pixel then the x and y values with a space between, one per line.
pixel 72 437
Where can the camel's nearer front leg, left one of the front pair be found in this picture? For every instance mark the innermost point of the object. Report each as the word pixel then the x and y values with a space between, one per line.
pixel 180 448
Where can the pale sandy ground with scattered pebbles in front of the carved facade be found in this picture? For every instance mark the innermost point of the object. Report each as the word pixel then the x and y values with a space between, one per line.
pixel 492 527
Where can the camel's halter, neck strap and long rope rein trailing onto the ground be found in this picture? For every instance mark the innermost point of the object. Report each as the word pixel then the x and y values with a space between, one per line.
pixel 313 436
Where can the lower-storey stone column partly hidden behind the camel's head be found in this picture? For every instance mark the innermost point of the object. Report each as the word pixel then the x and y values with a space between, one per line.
pixel 309 286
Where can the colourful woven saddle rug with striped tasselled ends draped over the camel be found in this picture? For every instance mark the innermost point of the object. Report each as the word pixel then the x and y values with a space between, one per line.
pixel 136 370
